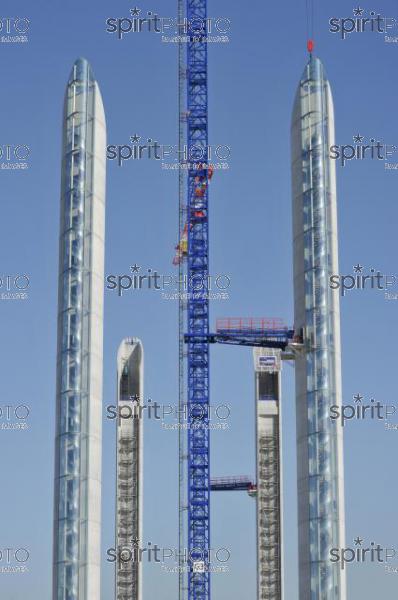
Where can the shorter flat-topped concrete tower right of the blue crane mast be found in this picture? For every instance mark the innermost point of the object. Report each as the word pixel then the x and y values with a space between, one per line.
pixel 267 366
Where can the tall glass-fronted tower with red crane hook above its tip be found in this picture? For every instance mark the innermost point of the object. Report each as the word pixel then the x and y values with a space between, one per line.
pixel 316 310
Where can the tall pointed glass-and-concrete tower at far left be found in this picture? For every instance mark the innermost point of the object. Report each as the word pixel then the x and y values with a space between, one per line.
pixel 77 486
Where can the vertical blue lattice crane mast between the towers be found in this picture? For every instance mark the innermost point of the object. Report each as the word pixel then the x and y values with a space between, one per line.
pixel 198 307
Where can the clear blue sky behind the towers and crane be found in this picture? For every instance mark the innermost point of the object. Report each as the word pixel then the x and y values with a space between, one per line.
pixel 252 84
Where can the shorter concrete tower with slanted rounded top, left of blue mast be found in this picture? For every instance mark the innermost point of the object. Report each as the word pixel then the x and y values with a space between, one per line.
pixel 129 484
